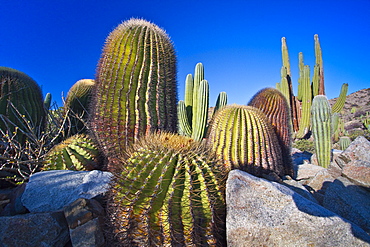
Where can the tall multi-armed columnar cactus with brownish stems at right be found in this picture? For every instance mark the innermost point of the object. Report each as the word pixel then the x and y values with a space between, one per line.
pixel 300 105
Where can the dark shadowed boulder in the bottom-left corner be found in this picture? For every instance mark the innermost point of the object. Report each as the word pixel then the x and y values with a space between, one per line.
pixel 39 229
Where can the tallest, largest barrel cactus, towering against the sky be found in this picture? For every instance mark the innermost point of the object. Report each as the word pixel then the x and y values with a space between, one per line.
pixel 136 89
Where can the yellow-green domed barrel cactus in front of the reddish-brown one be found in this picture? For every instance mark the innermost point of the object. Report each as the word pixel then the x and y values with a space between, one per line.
pixel 243 138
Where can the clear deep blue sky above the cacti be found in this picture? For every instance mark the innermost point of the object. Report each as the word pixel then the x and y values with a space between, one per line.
pixel 238 42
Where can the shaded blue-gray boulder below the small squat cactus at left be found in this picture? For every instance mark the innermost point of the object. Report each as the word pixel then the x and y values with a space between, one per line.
pixel 52 190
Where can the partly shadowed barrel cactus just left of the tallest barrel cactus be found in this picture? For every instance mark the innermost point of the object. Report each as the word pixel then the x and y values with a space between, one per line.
pixel 76 106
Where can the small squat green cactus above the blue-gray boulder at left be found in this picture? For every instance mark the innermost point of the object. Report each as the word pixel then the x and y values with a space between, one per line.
pixel 78 152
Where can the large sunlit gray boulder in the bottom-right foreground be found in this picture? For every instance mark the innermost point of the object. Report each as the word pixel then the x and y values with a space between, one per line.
pixel 264 213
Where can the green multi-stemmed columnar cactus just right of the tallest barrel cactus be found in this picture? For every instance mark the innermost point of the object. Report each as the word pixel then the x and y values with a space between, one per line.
pixel 193 110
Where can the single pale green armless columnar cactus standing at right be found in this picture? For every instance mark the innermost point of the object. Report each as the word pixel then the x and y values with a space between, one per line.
pixel 321 129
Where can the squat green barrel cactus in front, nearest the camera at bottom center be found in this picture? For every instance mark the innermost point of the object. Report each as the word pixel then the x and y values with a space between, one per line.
pixel 169 192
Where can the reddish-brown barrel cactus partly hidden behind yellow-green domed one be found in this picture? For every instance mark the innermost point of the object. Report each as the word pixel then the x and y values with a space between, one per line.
pixel 273 103
